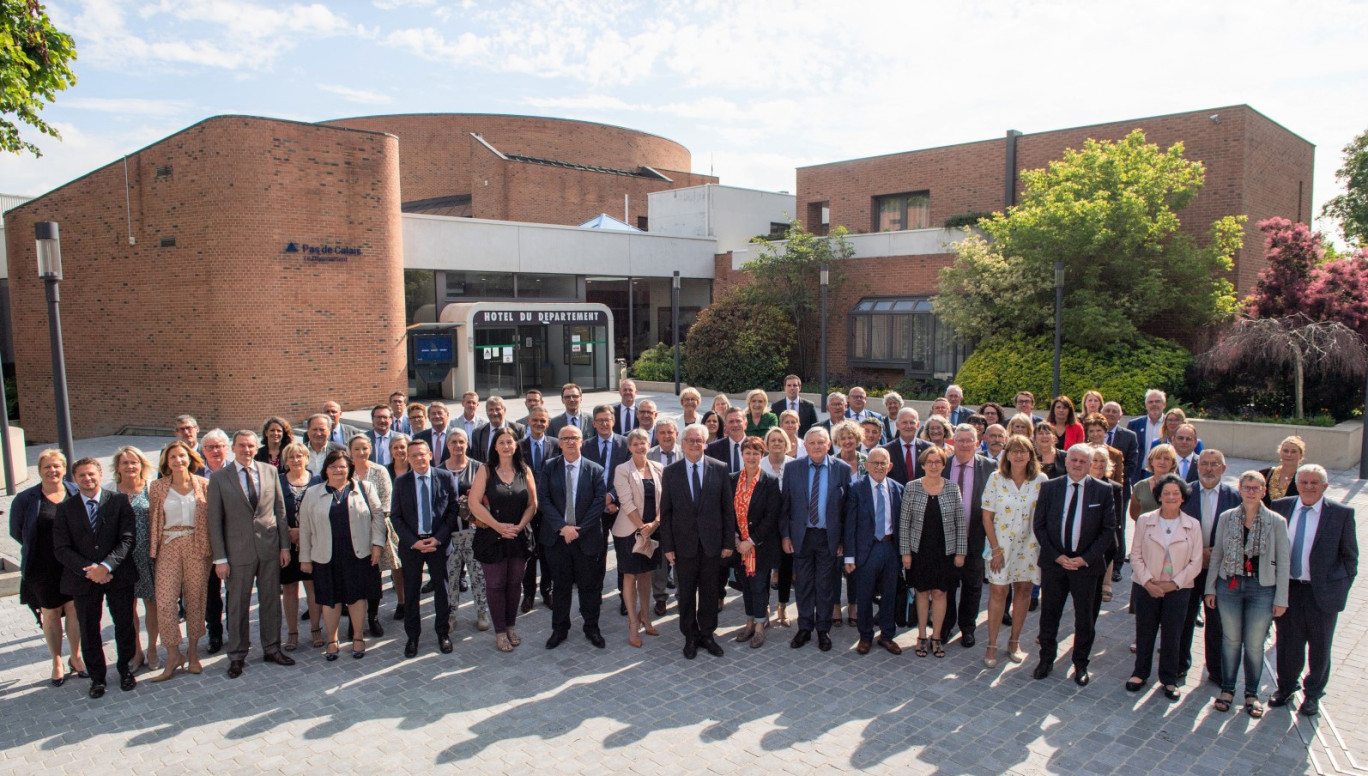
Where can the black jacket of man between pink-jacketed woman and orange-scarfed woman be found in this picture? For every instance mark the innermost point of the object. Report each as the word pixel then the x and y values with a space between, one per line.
pixel 704 526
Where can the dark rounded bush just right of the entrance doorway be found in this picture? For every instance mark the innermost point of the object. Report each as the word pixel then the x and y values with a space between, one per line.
pixel 739 346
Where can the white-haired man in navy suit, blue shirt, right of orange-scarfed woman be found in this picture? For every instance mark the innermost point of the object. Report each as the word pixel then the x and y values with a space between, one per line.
pixel 811 525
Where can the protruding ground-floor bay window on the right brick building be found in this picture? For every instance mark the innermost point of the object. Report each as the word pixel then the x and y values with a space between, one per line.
pixel 902 333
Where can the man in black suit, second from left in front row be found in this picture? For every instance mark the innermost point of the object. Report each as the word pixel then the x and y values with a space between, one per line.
pixel 92 539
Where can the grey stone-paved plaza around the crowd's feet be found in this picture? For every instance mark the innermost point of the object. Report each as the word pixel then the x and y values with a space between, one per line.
pixel 649 711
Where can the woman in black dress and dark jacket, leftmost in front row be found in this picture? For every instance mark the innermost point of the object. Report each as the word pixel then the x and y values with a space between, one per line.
pixel 40 574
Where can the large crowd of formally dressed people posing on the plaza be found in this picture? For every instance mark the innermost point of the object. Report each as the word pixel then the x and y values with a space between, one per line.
pixel 915 518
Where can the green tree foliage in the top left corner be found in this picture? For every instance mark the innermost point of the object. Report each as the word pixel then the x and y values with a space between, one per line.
pixel 35 65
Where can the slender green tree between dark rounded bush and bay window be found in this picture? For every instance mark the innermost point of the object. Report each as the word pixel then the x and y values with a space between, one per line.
pixel 789 277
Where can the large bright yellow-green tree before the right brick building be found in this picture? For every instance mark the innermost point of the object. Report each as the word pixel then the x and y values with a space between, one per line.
pixel 1109 213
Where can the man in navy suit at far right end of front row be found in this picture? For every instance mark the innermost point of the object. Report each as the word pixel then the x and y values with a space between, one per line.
pixel 1325 563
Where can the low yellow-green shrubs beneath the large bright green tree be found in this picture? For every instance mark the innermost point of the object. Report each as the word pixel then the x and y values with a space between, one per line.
pixel 1003 366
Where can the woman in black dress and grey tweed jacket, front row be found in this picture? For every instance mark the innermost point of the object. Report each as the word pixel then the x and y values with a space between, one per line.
pixel 932 532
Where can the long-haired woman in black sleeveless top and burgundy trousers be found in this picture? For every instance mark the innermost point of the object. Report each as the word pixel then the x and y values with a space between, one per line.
pixel 503 502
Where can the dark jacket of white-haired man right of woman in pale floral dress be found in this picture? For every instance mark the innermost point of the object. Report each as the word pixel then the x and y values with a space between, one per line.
pixel 1098 529
